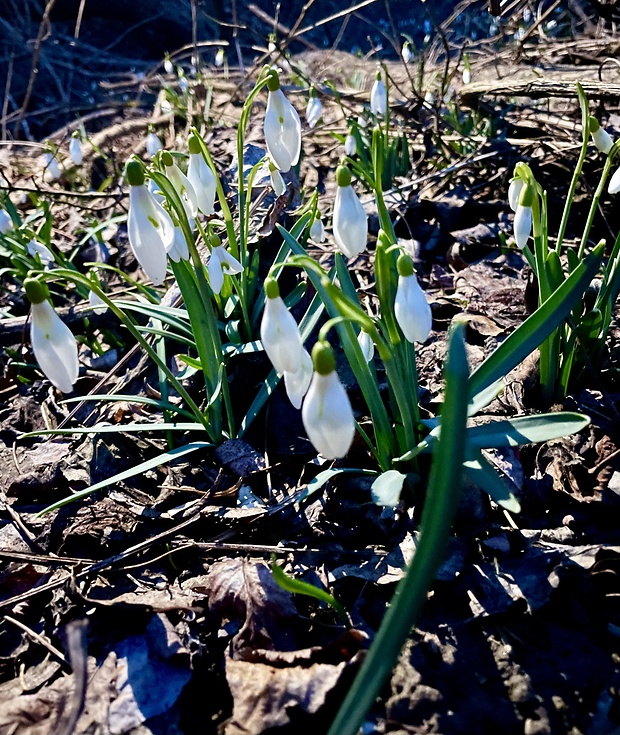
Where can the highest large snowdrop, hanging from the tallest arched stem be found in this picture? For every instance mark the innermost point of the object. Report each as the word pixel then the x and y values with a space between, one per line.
pixel 282 126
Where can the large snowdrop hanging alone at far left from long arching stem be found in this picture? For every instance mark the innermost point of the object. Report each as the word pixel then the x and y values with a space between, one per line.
pixel 53 343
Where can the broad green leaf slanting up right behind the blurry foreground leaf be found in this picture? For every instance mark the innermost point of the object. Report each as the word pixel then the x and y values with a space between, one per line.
pixel 536 328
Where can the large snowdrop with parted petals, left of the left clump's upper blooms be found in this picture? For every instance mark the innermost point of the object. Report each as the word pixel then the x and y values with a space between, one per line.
pixel 150 228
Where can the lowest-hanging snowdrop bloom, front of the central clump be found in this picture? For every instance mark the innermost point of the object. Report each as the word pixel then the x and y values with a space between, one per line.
pixel 327 414
